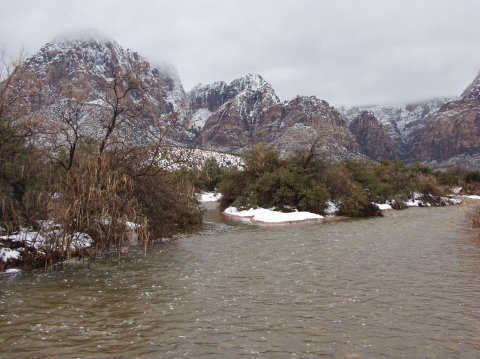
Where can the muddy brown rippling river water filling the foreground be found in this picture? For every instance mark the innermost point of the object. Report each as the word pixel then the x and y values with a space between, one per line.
pixel 403 286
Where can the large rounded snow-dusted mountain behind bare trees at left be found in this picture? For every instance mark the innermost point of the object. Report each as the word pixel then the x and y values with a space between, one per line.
pixel 84 68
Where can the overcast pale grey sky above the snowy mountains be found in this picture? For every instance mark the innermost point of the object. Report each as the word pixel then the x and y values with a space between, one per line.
pixel 347 52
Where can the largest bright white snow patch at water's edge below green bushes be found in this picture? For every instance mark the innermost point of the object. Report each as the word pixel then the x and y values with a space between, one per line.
pixel 270 216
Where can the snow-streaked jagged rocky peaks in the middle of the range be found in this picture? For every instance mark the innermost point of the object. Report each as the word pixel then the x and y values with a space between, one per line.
pixel 247 112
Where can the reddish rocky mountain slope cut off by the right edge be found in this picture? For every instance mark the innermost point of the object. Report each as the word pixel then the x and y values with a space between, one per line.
pixel 452 135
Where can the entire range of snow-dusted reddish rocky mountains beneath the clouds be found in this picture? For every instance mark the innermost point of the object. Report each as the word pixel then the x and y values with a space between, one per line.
pixel 246 111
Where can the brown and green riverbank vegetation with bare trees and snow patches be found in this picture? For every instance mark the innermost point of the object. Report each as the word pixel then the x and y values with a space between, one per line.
pixel 73 183
